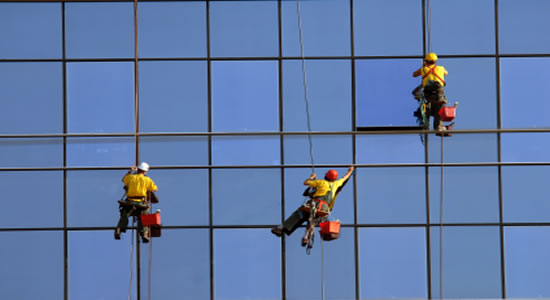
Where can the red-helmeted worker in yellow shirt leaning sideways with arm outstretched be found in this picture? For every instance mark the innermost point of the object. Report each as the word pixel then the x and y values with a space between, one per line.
pixel 323 197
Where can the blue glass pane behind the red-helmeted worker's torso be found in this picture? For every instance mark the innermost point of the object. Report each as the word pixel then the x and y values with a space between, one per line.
pixel 294 188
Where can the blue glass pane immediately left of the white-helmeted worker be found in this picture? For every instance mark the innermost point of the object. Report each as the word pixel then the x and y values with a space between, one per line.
pixel 92 197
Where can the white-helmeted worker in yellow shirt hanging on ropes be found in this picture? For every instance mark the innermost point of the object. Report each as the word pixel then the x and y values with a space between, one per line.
pixel 138 189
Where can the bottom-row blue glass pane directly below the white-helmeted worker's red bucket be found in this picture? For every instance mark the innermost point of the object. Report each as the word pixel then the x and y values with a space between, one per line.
pixel 180 265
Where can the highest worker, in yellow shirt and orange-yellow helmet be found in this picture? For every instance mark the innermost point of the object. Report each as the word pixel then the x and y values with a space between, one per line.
pixel 433 81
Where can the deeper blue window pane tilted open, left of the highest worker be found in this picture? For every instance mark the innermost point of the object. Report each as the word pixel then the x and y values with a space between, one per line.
pixel 384 92
